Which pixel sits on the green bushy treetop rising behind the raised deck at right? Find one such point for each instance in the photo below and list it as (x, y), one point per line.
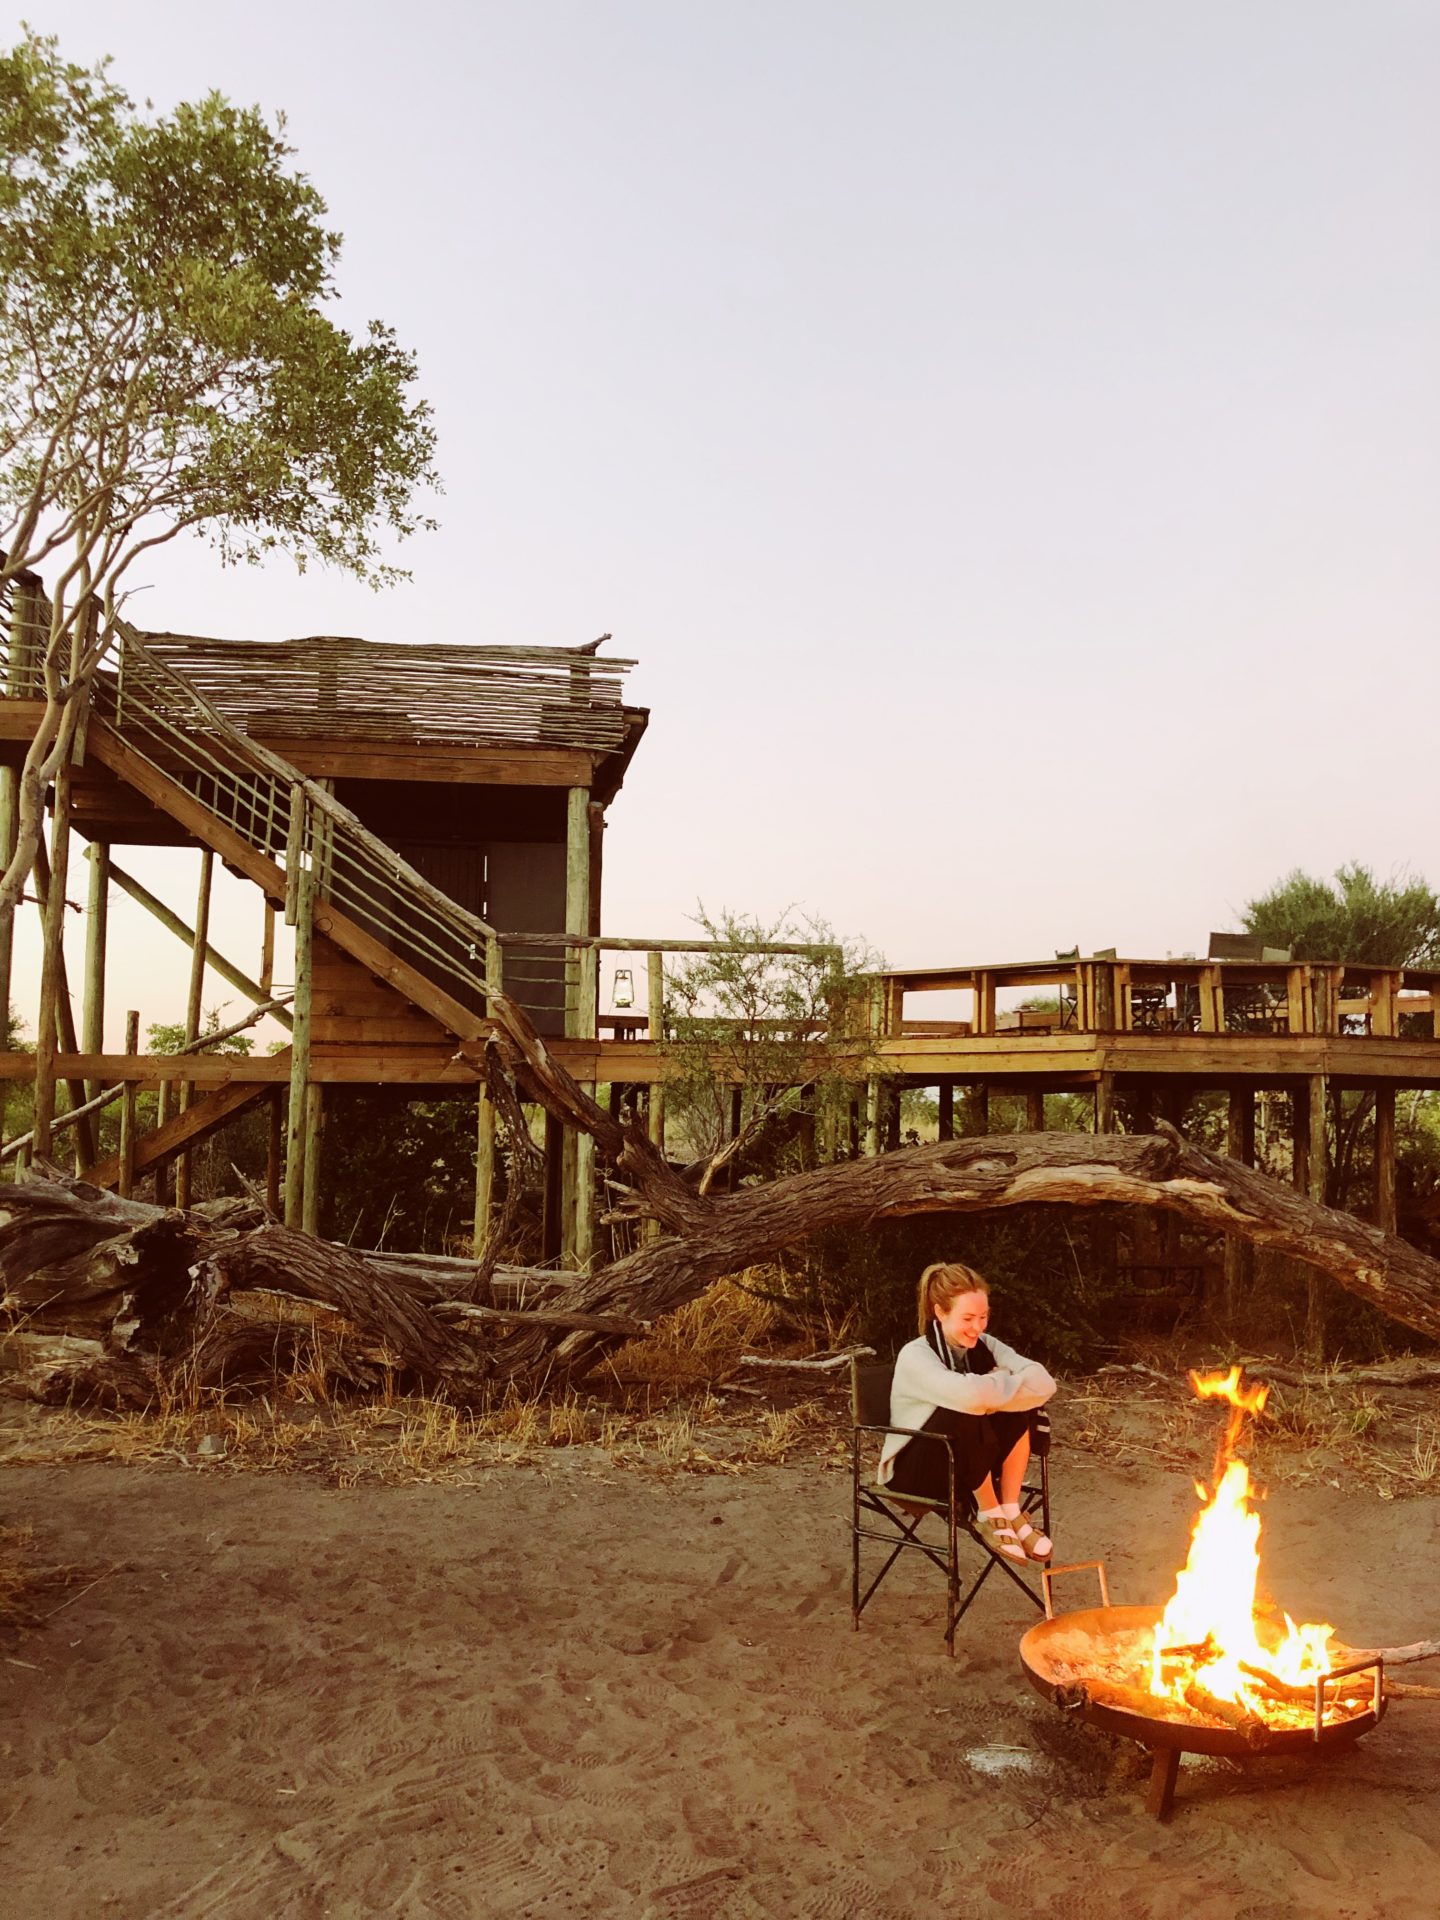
(1358, 919)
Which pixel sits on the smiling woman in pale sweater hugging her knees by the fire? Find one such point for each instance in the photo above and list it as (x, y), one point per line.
(963, 1383)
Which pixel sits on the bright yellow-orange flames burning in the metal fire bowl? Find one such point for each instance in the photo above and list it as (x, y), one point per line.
(1211, 1635)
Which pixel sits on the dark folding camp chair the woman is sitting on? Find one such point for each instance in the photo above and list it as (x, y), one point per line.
(903, 1514)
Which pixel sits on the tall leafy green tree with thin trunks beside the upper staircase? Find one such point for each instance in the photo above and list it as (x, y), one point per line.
(168, 366)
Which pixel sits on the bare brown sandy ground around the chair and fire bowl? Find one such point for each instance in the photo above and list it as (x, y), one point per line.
(567, 1691)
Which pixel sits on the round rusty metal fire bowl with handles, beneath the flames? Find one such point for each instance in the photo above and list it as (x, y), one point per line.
(1049, 1658)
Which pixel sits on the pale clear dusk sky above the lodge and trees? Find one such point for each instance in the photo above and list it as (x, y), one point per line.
(1007, 439)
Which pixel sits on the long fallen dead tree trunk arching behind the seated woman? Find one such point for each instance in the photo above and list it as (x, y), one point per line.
(166, 1284)
